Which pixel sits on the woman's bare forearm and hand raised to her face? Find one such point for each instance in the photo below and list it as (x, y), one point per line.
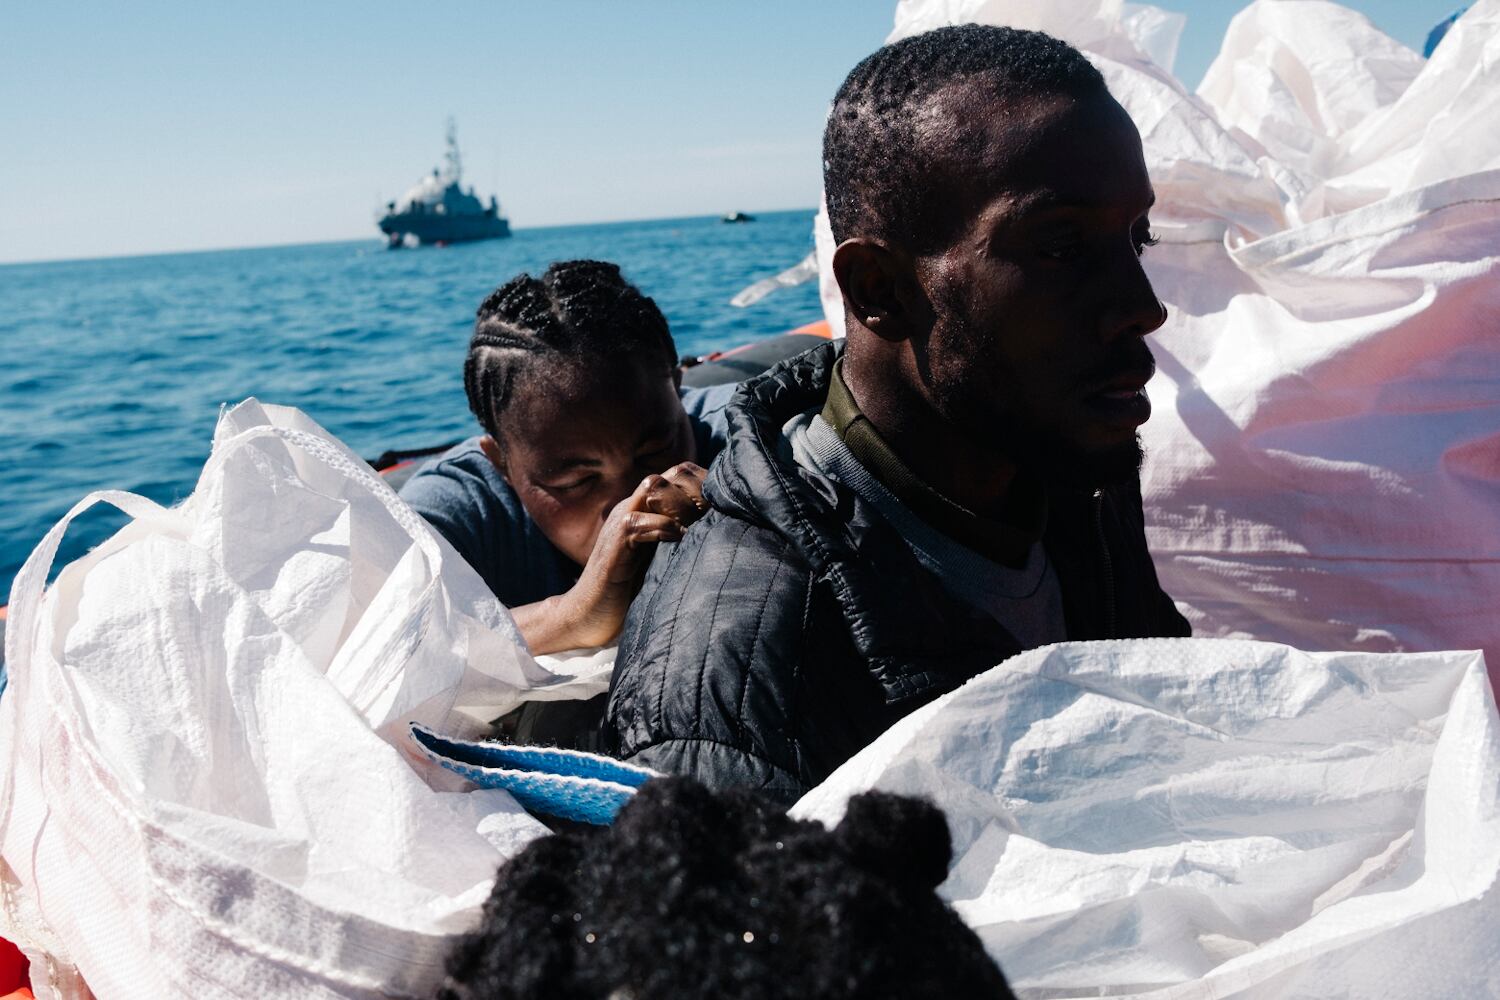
(593, 611)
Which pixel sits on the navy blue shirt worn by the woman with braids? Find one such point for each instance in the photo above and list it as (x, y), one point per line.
(464, 497)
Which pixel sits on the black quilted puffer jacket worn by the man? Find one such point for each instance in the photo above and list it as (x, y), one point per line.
(793, 626)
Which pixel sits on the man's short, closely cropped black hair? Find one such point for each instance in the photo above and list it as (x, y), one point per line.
(878, 175)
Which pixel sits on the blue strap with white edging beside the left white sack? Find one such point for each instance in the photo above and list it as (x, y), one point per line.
(566, 783)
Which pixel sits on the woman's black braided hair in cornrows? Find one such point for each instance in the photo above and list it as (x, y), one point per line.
(577, 313)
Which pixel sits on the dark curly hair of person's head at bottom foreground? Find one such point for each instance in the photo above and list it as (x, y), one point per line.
(695, 896)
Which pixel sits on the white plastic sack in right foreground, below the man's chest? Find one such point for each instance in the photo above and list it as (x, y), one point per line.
(1214, 819)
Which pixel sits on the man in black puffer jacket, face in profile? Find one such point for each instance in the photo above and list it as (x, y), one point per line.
(962, 482)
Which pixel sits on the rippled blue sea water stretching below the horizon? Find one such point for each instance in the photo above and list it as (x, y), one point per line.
(115, 370)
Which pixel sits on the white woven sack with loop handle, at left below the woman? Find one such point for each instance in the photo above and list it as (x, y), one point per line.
(203, 788)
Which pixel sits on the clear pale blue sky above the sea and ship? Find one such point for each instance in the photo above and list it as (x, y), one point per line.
(149, 127)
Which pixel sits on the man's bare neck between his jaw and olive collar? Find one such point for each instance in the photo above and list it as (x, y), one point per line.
(944, 457)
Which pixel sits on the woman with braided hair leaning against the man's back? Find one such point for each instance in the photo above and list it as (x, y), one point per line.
(592, 452)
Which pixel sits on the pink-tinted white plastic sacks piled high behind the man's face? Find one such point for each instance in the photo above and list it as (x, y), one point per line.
(1324, 463)
